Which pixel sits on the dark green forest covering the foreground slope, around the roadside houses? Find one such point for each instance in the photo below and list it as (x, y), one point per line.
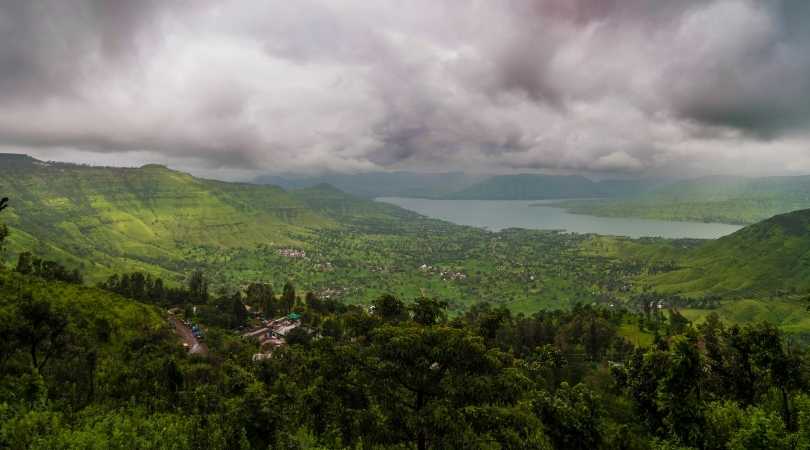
(99, 367)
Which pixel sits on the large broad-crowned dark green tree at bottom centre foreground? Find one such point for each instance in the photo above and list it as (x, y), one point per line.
(427, 379)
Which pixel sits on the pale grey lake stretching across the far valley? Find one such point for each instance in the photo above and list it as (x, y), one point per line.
(499, 214)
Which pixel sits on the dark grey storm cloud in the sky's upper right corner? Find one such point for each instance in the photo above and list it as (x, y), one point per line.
(757, 77)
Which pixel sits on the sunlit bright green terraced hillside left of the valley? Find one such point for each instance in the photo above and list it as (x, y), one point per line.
(141, 217)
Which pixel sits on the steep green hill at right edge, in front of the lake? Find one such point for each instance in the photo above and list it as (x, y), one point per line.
(763, 259)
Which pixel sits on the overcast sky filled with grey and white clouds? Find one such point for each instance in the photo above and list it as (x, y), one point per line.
(610, 87)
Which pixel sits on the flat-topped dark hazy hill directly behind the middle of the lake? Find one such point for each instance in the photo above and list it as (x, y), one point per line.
(540, 187)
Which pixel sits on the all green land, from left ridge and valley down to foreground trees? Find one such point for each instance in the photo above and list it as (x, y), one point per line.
(411, 333)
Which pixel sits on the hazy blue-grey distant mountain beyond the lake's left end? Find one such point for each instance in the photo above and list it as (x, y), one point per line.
(379, 184)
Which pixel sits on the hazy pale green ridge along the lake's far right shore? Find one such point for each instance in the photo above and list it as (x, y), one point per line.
(728, 199)
